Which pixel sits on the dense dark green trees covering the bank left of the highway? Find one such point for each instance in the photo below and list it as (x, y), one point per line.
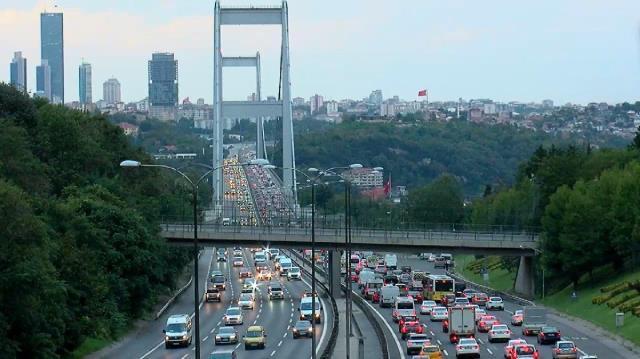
(80, 254)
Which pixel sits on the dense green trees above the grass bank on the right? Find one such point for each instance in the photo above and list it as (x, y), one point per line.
(585, 202)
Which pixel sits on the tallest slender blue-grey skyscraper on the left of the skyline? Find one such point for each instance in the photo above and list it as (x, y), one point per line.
(52, 50)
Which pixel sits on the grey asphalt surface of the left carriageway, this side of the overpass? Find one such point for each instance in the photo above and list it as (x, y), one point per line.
(276, 316)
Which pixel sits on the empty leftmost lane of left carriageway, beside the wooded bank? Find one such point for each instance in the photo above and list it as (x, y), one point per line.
(152, 339)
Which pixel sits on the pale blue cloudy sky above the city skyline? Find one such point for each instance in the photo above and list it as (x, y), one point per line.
(575, 51)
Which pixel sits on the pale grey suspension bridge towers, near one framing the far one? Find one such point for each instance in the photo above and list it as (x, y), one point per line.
(253, 109)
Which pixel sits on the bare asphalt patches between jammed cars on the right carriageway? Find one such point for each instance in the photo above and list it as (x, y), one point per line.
(586, 342)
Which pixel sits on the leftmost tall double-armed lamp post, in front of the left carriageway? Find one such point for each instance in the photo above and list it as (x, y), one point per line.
(194, 189)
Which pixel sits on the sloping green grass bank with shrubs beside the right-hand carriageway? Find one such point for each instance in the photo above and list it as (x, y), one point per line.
(600, 315)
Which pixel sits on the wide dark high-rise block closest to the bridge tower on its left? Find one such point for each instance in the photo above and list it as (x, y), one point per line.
(163, 86)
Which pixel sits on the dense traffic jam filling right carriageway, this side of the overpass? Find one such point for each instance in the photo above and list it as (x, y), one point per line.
(434, 316)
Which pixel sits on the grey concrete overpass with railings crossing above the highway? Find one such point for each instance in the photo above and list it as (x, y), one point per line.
(517, 244)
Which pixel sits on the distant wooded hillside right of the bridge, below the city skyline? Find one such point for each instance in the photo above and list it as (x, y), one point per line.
(414, 155)
